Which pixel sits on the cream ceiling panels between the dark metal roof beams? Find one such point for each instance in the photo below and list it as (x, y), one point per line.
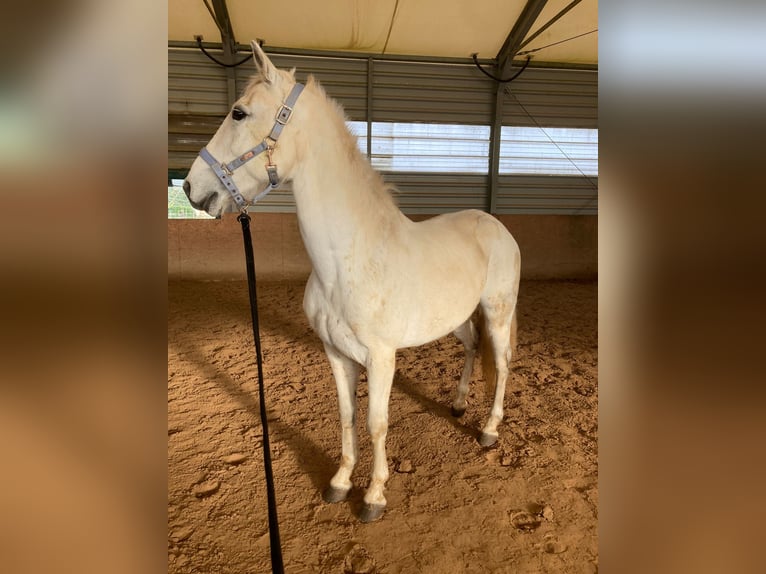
(405, 27)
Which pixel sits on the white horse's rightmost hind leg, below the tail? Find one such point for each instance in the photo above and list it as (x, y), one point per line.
(499, 325)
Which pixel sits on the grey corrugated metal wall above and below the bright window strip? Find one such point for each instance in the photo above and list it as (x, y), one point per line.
(405, 92)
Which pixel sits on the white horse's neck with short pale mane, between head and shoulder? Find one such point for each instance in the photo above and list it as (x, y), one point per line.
(340, 212)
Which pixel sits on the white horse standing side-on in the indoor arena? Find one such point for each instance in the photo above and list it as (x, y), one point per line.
(380, 281)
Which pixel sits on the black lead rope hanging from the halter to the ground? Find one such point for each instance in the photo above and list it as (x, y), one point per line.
(276, 548)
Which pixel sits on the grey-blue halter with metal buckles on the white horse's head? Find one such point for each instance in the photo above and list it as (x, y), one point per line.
(224, 171)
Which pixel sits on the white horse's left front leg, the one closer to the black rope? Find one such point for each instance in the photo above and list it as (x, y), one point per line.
(346, 373)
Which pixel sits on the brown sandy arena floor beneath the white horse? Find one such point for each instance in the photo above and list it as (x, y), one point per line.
(528, 505)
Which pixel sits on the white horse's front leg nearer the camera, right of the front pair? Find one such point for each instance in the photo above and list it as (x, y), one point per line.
(380, 372)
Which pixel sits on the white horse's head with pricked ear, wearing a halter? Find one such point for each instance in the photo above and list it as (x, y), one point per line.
(248, 125)
